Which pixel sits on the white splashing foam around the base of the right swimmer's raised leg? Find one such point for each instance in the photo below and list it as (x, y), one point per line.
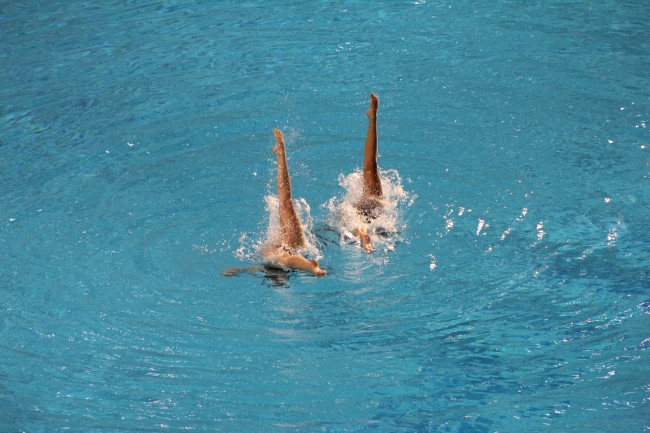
(345, 217)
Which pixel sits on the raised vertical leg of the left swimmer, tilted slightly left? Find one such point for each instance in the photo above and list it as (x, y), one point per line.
(291, 232)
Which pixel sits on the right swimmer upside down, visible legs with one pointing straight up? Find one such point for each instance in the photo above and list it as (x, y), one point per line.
(371, 203)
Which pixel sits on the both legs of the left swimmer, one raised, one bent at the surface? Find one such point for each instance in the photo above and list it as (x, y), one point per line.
(291, 236)
